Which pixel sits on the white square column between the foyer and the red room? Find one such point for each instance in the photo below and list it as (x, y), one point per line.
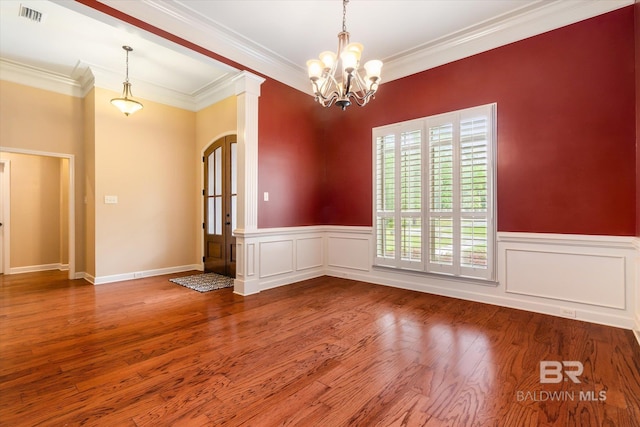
(247, 93)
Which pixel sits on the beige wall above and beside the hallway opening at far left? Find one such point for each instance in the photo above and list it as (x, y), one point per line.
(42, 121)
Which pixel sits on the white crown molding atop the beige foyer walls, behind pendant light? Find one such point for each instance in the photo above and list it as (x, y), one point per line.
(85, 76)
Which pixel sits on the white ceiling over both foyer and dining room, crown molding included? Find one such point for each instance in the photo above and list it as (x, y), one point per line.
(274, 38)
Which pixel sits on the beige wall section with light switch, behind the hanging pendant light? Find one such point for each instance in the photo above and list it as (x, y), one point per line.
(146, 160)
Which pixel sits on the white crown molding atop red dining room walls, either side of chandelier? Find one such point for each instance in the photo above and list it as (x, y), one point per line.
(530, 20)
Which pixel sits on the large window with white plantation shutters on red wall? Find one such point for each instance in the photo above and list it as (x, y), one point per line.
(434, 196)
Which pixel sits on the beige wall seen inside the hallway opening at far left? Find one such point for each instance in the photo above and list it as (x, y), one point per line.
(37, 211)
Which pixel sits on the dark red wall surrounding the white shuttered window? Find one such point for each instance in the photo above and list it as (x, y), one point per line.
(566, 129)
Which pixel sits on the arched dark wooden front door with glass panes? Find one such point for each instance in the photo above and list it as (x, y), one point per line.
(220, 193)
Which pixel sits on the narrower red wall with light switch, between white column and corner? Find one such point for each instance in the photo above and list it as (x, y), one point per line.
(290, 159)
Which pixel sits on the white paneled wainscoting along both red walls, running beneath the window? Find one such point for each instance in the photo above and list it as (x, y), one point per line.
(591, 278)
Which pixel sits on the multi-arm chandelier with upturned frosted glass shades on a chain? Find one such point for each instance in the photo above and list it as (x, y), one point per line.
(352, 87)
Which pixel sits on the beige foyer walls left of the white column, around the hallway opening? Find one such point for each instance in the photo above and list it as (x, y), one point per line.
(151, 161)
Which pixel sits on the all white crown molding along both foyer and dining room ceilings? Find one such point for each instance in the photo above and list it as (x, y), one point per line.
(178, 19)
